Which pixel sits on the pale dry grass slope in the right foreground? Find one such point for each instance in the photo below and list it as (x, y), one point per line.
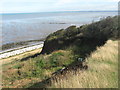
(102, 72)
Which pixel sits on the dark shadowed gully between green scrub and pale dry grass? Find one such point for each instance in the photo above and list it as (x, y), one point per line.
(80, 49)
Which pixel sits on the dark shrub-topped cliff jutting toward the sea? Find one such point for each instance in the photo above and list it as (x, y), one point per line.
(97, 32)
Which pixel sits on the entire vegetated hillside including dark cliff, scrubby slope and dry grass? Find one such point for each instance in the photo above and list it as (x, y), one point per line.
(63, 49)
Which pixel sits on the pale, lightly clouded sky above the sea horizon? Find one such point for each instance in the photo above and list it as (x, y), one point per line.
(27, 6)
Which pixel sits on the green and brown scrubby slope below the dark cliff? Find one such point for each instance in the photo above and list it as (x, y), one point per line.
(19, 73)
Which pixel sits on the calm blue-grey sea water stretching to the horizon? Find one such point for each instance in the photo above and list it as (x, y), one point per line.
(33, 26)
